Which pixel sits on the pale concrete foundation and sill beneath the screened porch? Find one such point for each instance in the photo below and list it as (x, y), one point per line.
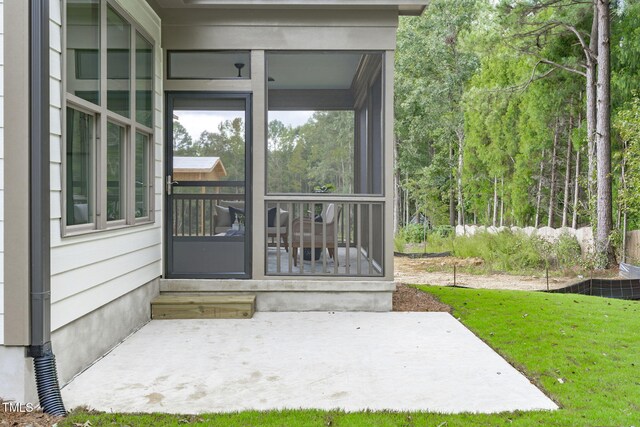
(295, 295)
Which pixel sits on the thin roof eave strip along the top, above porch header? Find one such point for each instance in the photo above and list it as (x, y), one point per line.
(405, 7)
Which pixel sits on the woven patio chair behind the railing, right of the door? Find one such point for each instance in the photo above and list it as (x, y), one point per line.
(310, 227)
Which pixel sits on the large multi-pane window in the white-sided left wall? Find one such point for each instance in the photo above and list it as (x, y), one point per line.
(109, 119)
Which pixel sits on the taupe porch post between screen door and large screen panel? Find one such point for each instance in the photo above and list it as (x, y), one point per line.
(259, 146)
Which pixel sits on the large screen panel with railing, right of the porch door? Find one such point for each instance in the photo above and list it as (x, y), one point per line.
(324, 164)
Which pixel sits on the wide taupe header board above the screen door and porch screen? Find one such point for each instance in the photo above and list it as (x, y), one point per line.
(284, 29)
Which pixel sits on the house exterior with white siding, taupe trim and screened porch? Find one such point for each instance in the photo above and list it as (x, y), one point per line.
(126, 219)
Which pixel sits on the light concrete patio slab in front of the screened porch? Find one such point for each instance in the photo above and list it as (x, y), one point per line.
(351, 361)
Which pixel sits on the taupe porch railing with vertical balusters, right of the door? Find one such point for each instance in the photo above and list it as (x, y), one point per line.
(318, 236)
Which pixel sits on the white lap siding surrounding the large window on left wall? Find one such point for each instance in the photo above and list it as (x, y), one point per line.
(90, 271)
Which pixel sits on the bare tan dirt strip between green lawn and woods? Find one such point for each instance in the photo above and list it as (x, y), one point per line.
(413, 271)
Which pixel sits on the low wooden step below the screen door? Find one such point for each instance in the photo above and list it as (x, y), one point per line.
(175, 306)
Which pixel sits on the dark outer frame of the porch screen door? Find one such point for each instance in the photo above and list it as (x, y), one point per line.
(170, 96)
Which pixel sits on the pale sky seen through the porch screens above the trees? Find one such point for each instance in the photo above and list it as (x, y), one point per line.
(195, 122)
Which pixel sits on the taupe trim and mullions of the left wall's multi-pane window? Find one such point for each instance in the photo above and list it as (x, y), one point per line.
(102, 115)
